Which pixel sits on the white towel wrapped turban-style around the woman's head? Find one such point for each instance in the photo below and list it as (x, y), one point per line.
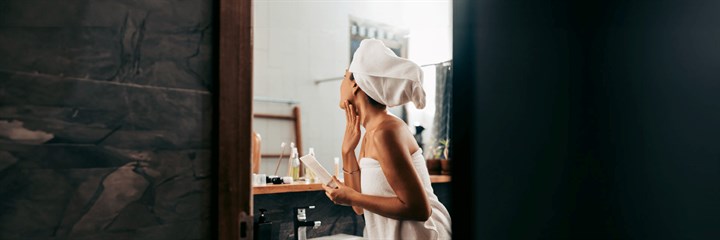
(385, 77)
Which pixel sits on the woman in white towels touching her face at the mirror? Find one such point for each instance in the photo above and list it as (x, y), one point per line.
(389, 183)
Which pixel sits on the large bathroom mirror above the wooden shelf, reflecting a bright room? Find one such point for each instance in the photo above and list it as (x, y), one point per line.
(300, 52)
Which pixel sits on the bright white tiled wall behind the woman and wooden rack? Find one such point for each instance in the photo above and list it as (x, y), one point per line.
(299, 41)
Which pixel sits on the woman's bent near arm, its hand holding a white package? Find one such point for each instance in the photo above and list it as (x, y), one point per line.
(410, 202)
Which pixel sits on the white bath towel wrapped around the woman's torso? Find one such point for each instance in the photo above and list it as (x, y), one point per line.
(373, 182)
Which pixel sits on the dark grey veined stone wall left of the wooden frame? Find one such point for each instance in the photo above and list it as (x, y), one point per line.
(105, 119)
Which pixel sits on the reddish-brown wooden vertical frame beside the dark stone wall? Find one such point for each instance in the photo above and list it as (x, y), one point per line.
(234, 118)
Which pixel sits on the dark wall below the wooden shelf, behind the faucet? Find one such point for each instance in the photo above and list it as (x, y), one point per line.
(335, 219)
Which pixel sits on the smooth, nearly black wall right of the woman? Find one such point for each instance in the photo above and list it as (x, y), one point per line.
(586, 119)
